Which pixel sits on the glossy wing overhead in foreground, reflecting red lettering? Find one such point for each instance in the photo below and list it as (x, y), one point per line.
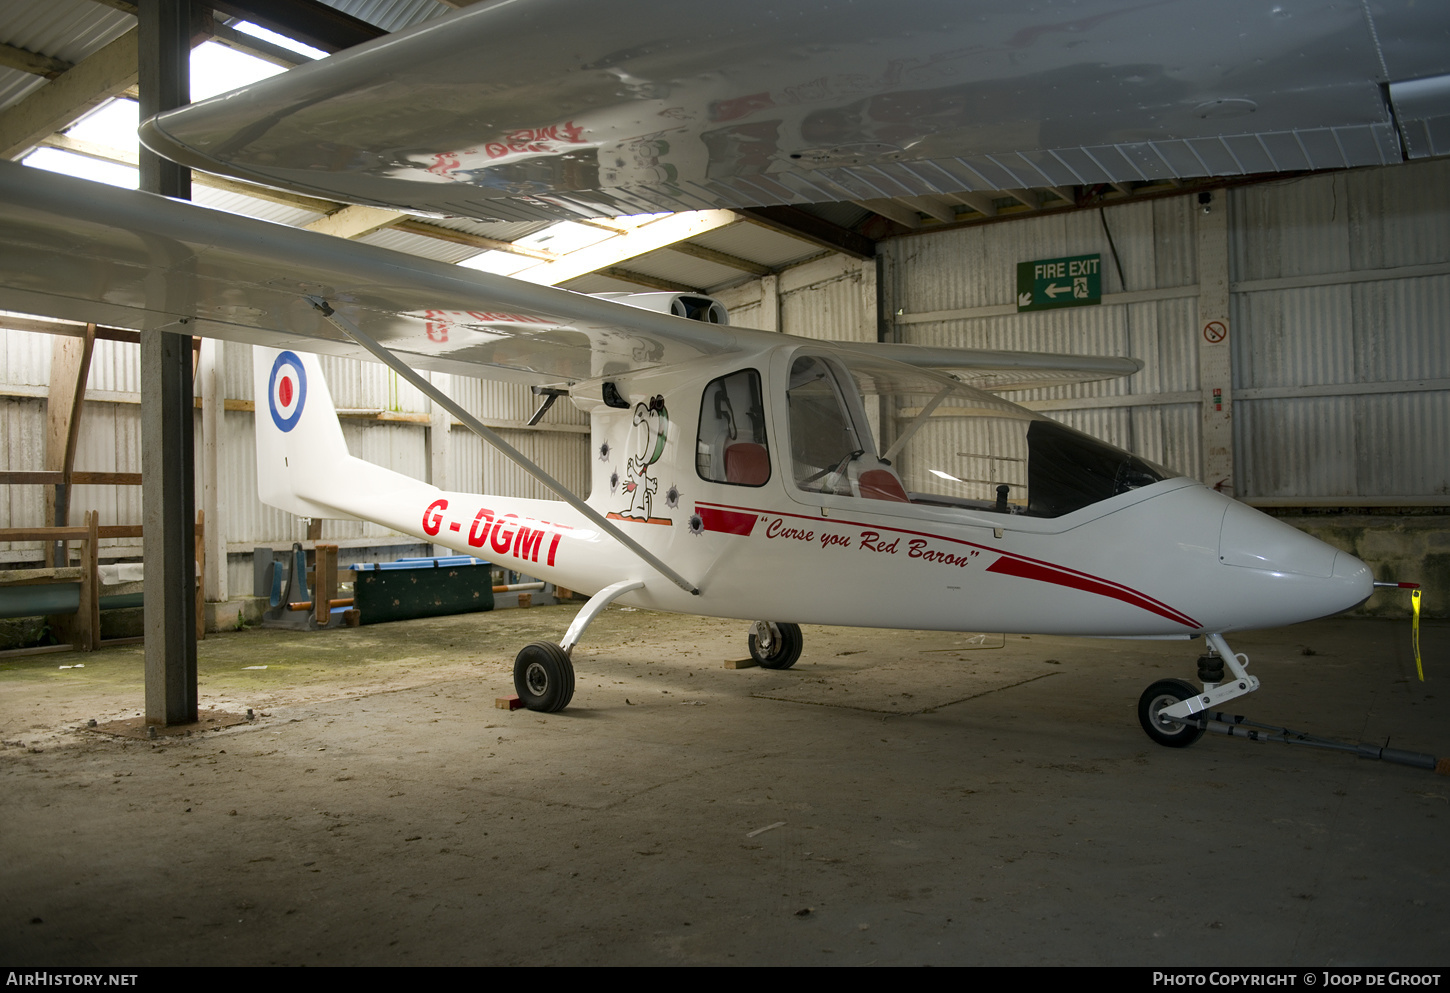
(537, 109)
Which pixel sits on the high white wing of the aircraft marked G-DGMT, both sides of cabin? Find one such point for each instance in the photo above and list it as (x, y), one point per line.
(91, 253)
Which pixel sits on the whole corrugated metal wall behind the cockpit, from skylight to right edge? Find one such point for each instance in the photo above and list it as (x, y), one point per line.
(1341, 294)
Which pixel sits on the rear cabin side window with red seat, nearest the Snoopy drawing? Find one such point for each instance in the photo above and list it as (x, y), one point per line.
(732, 446)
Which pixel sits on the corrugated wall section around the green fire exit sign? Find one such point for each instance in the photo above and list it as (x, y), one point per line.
(958, 289)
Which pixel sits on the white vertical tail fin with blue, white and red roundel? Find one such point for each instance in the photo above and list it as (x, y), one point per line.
(299, 441)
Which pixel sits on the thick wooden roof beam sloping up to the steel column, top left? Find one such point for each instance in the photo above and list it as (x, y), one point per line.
(72, 95)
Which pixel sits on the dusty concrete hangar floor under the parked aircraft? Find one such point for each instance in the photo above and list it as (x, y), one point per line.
(900, 798)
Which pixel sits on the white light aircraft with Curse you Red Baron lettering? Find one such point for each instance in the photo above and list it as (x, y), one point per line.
(736, 473)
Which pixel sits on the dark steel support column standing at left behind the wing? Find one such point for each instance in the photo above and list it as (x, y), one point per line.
(167, 463)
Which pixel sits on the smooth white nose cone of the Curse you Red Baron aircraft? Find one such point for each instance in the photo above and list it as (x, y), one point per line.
(1309, 578)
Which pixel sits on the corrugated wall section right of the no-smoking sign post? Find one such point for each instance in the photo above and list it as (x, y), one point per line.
(1342, 363)
